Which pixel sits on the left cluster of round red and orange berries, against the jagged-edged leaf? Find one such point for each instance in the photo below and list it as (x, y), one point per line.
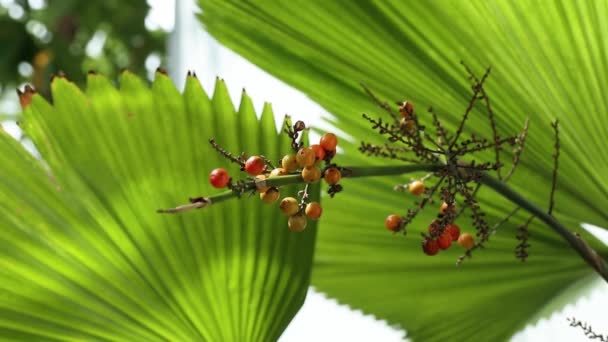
(306, 162)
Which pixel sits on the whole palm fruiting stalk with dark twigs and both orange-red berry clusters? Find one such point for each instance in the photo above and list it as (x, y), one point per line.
(454, 176)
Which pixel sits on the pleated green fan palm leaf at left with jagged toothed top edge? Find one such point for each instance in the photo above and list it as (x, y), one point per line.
(84, 255)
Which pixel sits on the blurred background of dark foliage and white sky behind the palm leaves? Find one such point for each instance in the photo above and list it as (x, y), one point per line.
(40, 38)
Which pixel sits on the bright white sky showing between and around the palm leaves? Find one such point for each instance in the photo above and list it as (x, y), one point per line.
(320, 319)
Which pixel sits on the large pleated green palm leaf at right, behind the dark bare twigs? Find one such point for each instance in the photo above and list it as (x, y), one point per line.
(548, 62)
